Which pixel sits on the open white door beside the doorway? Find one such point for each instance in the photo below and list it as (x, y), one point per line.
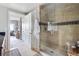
(26, 29)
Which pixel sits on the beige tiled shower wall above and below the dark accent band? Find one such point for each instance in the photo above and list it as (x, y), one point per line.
(56, 40)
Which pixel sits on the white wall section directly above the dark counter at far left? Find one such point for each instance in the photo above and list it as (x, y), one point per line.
(3, 19)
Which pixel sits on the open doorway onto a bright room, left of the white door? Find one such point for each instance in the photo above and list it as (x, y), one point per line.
(14, 29)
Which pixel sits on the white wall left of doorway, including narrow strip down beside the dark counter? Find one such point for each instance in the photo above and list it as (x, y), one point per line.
(4, 24)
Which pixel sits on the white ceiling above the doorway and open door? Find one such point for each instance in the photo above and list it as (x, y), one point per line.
(21, 7)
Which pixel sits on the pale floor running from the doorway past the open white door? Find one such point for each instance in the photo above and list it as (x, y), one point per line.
(22, 46)
